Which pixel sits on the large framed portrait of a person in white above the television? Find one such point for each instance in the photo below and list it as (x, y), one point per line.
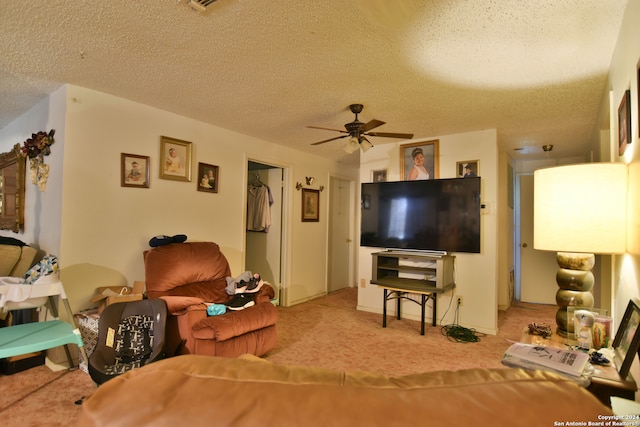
(419, 161)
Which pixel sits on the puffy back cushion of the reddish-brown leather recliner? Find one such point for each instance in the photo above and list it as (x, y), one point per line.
(195, 269)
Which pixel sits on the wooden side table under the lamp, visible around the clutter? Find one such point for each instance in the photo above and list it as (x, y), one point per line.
(605, 381)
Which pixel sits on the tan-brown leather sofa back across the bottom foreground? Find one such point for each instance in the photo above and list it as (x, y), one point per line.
(205, 391)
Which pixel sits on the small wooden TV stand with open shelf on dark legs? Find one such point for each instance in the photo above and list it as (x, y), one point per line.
(401, 273)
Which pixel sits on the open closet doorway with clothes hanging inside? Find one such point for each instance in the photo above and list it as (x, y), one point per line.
(264, 247)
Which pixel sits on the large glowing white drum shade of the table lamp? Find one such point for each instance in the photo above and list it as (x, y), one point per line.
(581, 208)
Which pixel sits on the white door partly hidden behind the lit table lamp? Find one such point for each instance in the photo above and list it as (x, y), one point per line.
(537, 268)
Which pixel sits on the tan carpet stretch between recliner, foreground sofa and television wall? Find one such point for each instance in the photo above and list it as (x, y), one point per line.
(329, 332)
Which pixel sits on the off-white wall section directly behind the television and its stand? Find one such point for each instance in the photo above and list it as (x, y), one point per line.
(476, 274)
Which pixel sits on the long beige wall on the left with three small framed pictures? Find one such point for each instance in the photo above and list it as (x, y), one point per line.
(100, 229)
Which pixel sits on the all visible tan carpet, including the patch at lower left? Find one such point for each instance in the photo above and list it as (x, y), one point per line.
(326, 332)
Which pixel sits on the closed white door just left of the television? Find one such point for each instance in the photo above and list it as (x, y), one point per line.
(340, 235)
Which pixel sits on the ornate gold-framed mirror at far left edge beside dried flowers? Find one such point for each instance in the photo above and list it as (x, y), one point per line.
(12, 181)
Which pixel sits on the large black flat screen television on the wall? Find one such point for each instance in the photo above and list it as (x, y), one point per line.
(429, 215)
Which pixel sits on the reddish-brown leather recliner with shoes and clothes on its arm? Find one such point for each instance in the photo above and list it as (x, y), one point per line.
(189, 275)
